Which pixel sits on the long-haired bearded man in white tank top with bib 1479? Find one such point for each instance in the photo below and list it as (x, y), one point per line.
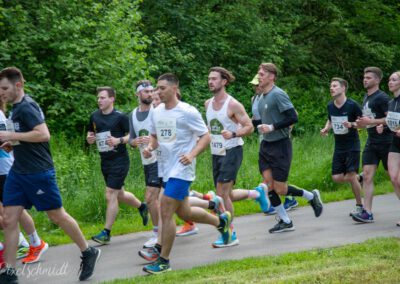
(227, 121)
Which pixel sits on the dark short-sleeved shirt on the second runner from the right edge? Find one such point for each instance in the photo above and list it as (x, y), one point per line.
(376, 106)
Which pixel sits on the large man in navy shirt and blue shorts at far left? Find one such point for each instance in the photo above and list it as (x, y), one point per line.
(31, 180)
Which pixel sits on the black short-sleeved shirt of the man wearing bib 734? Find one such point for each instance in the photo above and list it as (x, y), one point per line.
(346, 139)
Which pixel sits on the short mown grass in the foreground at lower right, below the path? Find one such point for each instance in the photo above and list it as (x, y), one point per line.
(374, 261)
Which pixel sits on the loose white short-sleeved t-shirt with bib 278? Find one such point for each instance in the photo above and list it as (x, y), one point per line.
(177, 130)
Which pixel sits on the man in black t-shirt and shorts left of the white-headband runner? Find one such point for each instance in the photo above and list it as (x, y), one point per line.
(108, 128)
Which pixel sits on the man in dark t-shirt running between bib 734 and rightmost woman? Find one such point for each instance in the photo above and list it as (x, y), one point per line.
(375, 107)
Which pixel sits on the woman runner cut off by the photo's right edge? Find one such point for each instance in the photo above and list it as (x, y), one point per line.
(393, 122)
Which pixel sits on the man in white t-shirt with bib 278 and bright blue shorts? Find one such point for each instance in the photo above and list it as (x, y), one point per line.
(175, 129)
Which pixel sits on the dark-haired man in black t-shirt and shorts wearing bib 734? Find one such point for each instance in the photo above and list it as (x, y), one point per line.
(342, 114)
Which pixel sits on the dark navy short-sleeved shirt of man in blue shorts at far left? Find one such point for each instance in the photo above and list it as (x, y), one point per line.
(30, 157)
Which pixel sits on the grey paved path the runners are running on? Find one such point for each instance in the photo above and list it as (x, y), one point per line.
(120, 259)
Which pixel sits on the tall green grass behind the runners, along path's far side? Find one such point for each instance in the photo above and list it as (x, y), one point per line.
(82, 185)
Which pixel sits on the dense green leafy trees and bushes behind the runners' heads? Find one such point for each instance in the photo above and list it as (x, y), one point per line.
(68, 48)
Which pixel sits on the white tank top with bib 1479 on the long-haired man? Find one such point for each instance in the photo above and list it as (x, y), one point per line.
(218, 121)
